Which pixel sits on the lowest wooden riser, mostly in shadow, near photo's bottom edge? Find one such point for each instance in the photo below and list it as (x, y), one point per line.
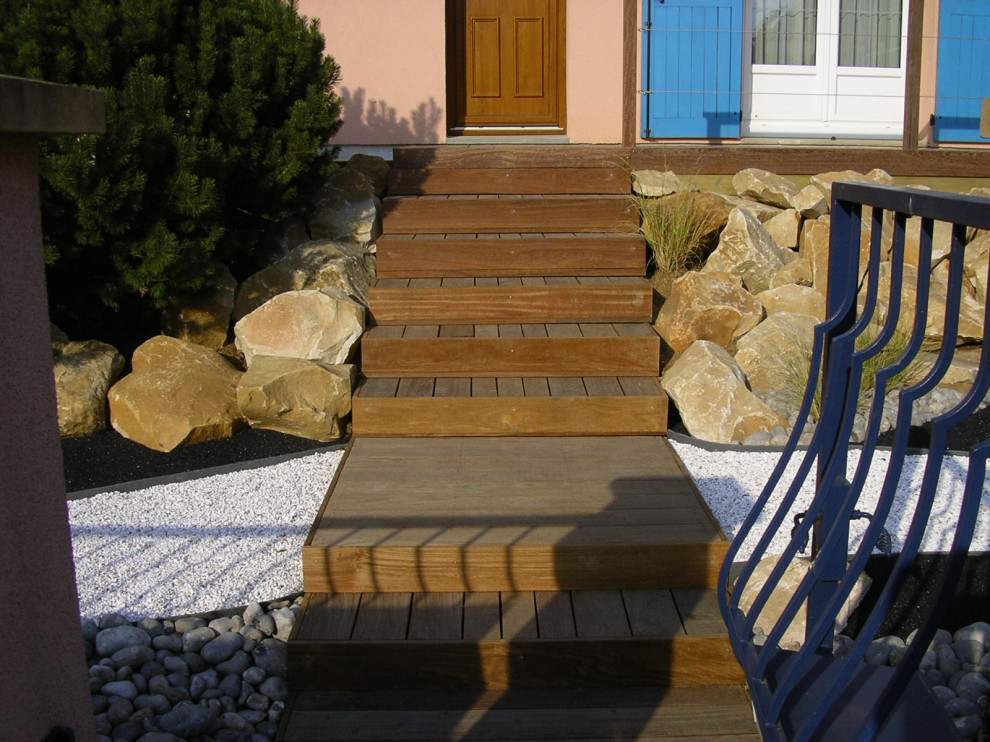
(520, 664)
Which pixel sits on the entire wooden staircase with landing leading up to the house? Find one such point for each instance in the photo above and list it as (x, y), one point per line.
(511, 549)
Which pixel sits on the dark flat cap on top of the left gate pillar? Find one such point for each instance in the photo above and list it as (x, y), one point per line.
(37, 107)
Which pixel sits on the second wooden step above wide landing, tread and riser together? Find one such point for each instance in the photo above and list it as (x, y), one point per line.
(511, 350)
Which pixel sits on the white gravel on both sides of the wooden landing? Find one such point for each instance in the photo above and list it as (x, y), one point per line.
(225, 540)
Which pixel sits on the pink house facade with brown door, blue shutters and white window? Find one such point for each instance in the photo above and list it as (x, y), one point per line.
(642, 71)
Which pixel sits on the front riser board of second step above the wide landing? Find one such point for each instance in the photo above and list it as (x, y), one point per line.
(514, 357)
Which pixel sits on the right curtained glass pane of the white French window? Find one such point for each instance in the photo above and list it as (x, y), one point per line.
(870, 33)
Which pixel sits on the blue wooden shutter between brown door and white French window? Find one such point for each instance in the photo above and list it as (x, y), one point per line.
(692, 68)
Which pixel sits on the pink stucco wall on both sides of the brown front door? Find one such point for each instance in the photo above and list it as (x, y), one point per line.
(392, 55)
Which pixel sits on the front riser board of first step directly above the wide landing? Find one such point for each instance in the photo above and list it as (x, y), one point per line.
(507, 416)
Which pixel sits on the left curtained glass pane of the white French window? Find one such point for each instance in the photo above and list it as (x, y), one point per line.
(785, 31)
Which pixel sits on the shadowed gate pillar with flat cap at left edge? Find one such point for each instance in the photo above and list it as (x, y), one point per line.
(45, 693)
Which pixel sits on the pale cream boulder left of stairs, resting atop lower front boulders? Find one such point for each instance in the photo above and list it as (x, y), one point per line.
(316, 325)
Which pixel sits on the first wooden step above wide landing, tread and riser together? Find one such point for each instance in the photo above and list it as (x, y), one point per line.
(593, 405)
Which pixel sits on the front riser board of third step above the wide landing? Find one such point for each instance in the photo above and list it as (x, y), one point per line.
(511, 304)
